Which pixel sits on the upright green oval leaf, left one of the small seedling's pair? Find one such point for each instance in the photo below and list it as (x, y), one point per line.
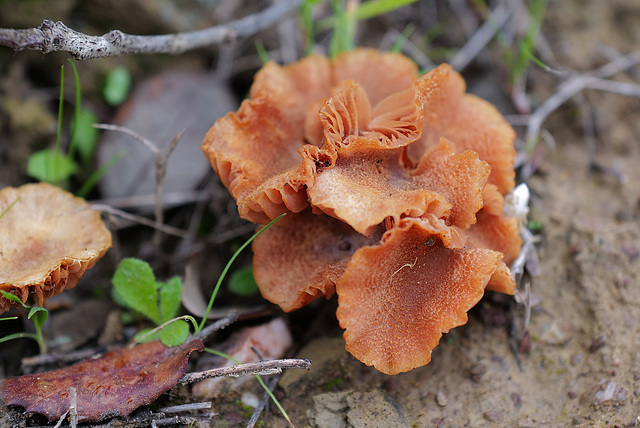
(135, 283)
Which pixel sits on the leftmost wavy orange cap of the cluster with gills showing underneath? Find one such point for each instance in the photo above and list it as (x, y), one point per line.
(255, 151)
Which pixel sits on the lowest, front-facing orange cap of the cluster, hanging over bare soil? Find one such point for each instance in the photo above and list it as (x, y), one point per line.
(396, 299)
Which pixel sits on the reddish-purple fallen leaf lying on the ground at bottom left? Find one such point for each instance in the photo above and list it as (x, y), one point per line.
(115, 384)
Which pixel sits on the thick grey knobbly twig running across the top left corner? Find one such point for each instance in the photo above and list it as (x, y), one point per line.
(56, 37)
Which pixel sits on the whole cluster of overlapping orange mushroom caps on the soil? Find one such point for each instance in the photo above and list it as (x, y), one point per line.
(394, 187)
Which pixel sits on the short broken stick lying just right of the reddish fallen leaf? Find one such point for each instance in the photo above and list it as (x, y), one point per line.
(260, 368)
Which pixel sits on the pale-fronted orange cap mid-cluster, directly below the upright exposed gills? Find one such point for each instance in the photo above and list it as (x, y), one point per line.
(368, 184)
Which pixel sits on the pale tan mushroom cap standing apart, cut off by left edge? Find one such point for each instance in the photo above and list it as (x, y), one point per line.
(48, 239)
